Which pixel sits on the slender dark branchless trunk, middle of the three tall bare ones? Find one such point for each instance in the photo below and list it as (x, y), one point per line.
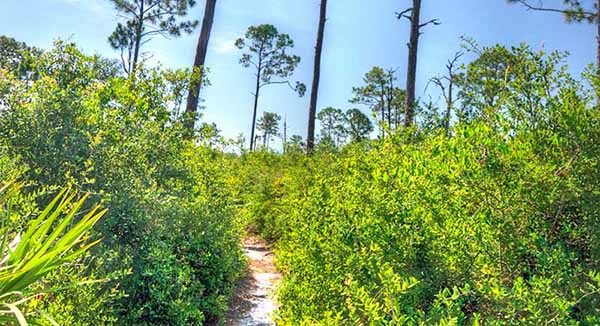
(312, 110)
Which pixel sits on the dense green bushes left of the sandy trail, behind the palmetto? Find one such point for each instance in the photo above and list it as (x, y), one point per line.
(171, 243)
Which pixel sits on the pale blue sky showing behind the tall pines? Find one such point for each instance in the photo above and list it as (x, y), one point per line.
(359, 35)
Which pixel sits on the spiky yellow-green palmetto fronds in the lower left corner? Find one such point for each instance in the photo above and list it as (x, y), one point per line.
(51, 240)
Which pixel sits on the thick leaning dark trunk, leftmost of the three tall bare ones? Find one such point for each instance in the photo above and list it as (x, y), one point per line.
(201, 49)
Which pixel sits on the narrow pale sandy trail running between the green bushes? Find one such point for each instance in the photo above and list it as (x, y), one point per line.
(253, 302)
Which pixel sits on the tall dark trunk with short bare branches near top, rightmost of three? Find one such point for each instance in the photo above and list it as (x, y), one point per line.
(411, 75)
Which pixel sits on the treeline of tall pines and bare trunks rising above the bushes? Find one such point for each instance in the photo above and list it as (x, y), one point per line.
(269, 54)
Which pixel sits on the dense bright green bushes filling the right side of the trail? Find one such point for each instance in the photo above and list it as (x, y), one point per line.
(497, 224)
